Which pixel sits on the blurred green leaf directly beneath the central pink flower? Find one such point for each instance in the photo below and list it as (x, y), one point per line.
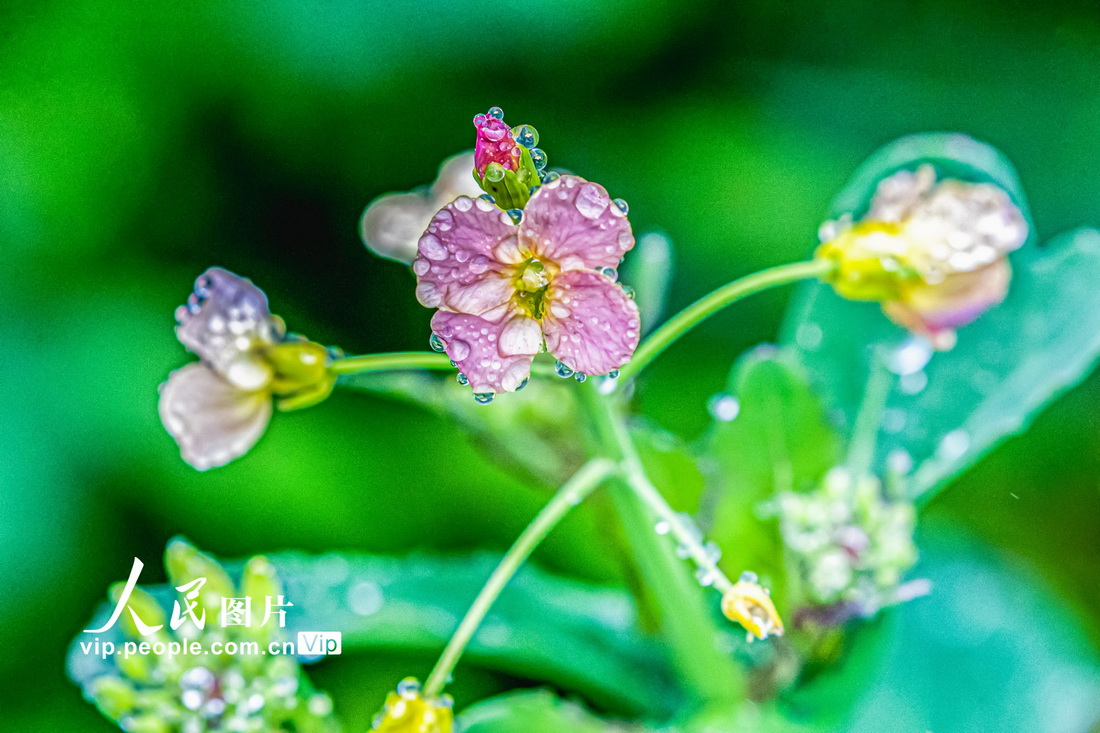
(533, 432)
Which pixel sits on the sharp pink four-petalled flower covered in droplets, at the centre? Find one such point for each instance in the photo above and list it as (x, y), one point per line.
(504, 290)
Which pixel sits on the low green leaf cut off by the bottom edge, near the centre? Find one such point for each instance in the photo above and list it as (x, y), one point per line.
(537, 712)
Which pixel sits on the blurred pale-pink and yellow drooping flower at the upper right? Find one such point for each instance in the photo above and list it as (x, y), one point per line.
(933, 253)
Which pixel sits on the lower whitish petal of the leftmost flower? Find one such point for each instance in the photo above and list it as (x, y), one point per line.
(212, 421)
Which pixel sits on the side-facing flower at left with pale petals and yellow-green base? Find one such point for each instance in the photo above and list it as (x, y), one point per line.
(219, 408)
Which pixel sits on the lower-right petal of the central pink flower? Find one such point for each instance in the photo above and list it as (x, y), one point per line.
(590, 323)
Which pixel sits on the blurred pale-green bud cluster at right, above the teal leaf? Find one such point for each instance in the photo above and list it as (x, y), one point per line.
(852, 545)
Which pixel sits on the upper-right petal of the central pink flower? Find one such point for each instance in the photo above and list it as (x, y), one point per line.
(575, 224)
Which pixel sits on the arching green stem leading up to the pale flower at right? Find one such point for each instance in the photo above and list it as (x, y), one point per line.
(714, 302)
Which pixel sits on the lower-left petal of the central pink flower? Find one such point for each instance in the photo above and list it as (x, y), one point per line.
(494, 351)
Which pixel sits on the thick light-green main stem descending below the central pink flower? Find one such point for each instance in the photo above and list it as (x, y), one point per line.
(685, 617)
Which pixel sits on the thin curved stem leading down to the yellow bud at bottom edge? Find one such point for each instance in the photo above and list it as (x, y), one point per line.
(574, 493)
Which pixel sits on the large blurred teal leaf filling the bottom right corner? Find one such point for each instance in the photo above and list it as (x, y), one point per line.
(988, 629)
